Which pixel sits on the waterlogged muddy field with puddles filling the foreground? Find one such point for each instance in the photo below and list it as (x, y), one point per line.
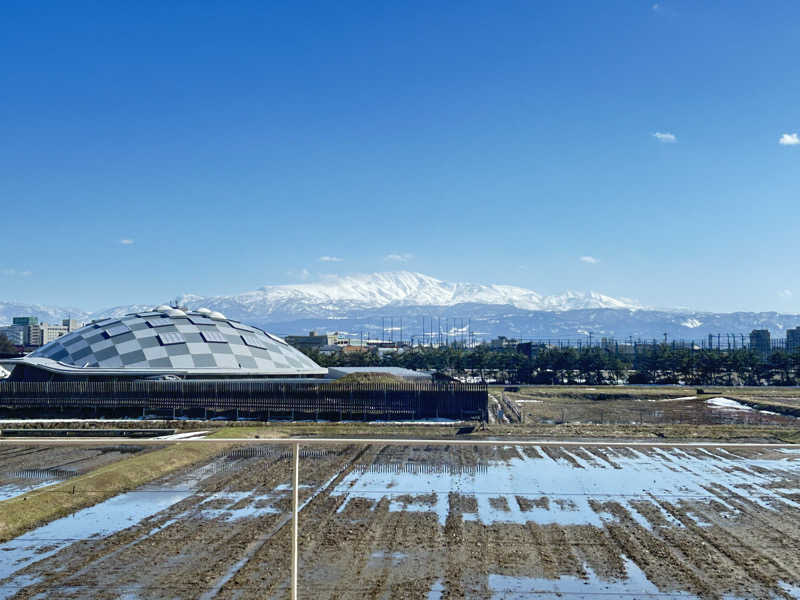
(435, 522)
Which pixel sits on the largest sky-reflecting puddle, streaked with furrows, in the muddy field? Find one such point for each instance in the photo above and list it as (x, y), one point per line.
(571, 486)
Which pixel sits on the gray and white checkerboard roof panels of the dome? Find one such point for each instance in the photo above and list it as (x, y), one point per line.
(150, 341)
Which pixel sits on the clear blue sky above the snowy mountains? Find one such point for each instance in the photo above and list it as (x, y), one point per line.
(156, 148)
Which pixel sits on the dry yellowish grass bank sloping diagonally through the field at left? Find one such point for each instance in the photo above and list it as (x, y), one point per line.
(41, 506)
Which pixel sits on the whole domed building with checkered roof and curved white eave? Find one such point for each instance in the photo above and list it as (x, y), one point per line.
(164, 342)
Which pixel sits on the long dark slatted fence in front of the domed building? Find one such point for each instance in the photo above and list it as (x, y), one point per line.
(262, 399)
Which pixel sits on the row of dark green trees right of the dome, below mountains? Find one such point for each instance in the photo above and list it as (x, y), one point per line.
(648, 364)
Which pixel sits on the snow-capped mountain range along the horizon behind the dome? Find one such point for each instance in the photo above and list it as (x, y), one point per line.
(360, 302)
